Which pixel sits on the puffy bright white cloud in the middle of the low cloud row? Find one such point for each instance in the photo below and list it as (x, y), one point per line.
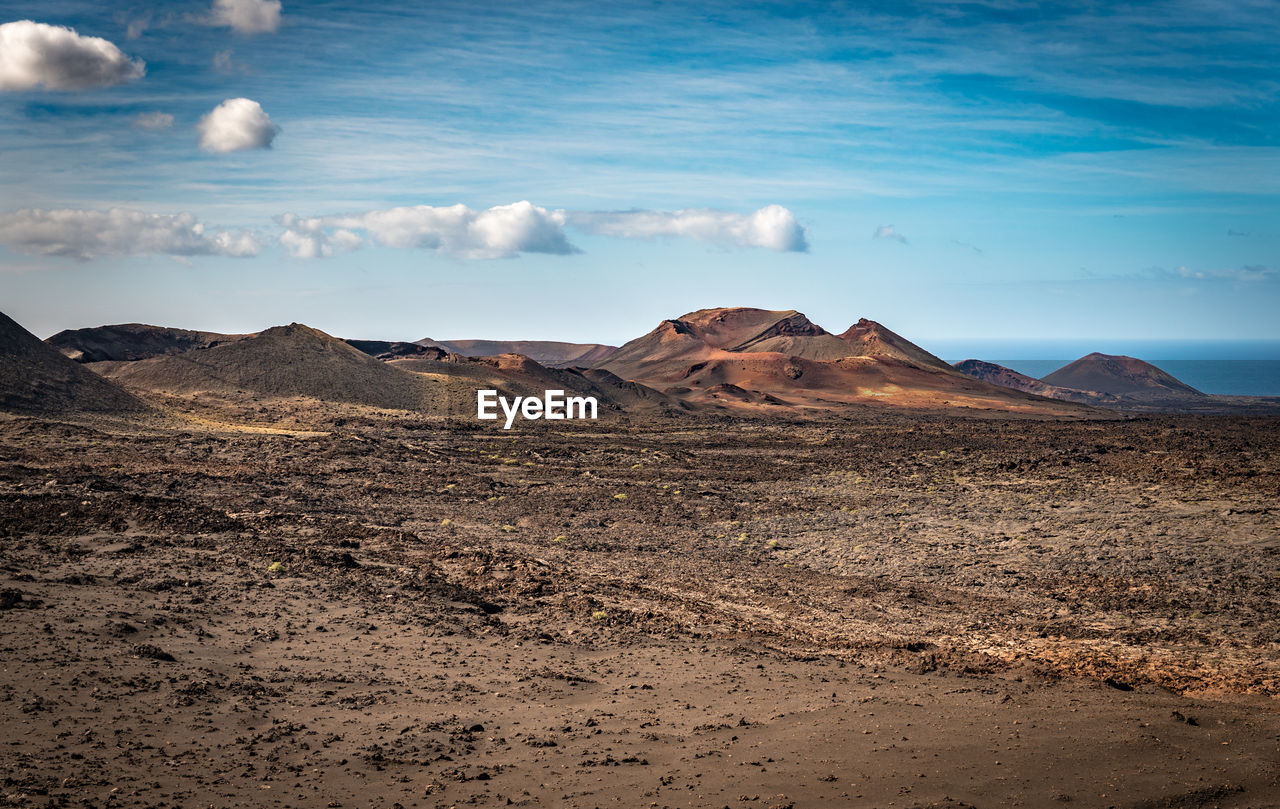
(499, 232)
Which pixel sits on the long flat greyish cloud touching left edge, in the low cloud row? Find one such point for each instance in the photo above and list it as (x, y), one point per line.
(118, 232)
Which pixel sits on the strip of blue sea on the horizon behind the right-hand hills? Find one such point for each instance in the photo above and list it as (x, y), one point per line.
(1235, 368)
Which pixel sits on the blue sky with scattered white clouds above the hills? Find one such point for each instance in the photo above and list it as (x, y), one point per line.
(989, 171)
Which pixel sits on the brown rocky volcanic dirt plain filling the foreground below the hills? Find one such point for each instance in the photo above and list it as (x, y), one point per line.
(884, 611)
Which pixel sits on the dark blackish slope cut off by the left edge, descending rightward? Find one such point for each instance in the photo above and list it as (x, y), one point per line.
(36, 378)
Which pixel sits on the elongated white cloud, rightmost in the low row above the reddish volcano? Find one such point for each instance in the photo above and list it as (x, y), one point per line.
(772, 227)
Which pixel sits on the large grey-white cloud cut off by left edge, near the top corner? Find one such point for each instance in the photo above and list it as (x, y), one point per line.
(57, 58)
